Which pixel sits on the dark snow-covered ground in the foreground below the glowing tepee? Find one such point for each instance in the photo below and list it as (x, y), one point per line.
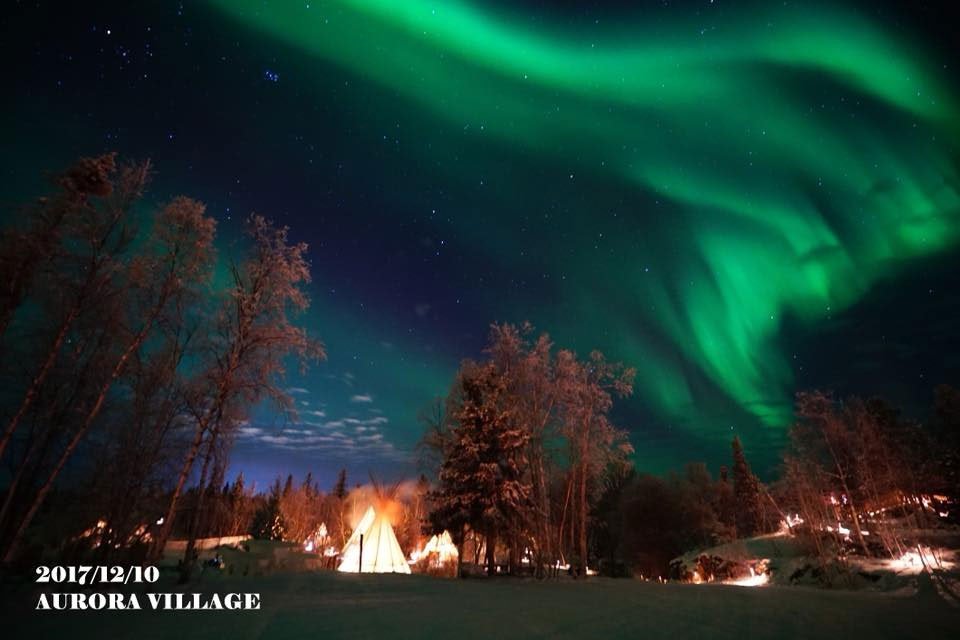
(331, 605)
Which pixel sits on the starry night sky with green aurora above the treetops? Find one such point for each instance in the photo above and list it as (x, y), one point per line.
(738, 200)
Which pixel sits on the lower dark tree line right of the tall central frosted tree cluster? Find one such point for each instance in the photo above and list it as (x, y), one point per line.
(856, 479)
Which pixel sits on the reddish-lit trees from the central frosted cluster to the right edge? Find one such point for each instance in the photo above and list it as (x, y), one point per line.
(528, 463)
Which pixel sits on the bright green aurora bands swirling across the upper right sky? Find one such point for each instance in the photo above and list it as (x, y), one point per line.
(782, 205)
